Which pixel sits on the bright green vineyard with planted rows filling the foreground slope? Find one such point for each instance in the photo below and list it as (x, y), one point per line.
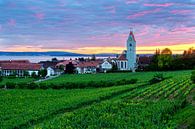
(162, 105)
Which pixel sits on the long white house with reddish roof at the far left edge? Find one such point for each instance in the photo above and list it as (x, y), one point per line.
(18, 67)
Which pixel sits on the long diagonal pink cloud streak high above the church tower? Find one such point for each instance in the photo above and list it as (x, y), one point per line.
(142, 13)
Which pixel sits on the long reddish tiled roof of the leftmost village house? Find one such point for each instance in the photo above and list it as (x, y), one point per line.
(20, 66)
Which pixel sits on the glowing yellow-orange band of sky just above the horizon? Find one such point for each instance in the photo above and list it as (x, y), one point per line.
(177, 49)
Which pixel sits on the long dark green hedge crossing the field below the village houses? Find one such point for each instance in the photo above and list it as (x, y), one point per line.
(69, 85)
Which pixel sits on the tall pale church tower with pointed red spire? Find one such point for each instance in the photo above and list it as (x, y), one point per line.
(131, 52)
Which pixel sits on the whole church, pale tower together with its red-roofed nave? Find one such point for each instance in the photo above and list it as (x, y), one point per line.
(127, 60)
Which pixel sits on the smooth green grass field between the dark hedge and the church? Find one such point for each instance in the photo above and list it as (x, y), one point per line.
(78, 78)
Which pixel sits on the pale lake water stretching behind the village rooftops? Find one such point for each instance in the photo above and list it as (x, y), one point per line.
(36, 59)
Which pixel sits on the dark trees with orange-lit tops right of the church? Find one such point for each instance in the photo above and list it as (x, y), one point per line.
(164, 60)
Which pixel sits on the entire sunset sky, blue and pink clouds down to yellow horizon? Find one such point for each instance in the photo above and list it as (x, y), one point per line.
(96, 26)
